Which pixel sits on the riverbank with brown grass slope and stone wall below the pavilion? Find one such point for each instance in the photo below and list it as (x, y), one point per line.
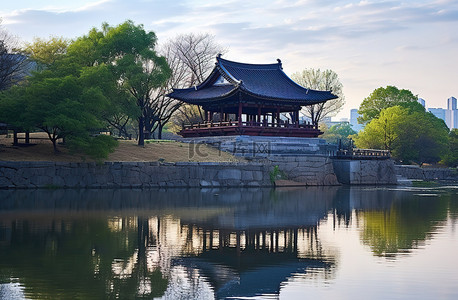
(174, 164)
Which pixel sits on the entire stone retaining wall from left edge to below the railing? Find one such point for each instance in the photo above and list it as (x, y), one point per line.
(305, 170)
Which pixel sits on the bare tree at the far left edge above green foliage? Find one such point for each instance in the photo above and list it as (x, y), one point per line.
(14, 66)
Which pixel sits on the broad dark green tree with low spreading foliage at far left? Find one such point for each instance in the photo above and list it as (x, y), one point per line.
(64, 107)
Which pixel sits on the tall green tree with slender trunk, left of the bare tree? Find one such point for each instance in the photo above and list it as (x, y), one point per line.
(130, 52)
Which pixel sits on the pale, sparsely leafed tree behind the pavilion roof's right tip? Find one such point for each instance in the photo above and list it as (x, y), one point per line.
(326, 80)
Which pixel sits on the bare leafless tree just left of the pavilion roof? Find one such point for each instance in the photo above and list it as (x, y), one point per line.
(191, 58)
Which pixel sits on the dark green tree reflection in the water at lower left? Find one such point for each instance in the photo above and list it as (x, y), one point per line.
(90, 259)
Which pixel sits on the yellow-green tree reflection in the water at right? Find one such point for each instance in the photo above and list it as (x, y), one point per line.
(403, 226)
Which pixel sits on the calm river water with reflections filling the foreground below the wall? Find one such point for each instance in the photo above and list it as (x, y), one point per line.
(309, 243)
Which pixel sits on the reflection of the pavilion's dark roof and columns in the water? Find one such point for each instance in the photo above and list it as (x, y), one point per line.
(257, 261)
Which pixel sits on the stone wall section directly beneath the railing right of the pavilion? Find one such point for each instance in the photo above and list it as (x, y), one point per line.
(378, 172)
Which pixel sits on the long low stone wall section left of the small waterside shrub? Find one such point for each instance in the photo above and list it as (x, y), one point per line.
(131, 174)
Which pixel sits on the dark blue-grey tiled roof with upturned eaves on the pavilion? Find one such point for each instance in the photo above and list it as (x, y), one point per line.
(250, 81)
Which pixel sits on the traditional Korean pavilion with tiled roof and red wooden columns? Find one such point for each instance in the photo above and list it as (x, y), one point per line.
(247, 99)
